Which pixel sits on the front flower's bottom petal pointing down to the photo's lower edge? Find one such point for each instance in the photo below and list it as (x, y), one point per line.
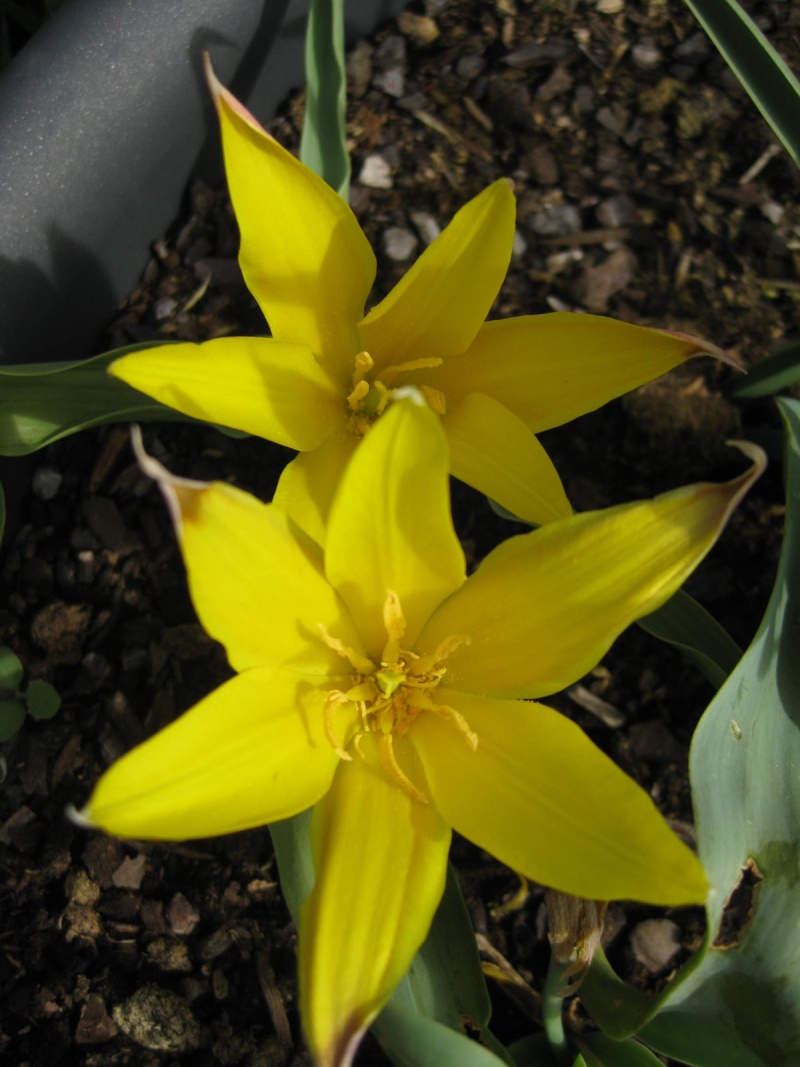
(381, 862)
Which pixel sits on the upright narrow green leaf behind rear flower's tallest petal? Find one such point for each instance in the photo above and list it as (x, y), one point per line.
(324, 144)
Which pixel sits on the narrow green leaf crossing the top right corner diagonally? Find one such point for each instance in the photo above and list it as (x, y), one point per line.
(770, 83)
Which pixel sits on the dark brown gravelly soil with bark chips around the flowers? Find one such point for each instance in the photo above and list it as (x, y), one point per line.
(650, 189)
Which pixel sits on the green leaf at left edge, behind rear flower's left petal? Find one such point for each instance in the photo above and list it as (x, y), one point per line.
(42, 403)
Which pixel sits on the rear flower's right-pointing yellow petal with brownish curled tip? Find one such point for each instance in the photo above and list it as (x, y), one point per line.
(551, 369)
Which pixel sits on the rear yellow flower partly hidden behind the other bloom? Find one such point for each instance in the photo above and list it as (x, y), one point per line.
(327, 373)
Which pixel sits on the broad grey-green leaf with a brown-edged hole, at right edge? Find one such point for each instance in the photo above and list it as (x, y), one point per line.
(742, 1005)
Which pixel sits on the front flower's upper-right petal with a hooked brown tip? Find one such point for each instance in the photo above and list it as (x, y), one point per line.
(543, 609)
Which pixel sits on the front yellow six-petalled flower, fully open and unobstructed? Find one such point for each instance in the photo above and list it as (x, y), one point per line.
(380, 684)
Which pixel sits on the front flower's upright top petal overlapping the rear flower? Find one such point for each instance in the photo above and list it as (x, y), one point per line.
(391, 525)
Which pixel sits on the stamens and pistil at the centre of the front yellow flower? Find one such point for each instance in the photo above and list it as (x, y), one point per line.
(391, 695)
